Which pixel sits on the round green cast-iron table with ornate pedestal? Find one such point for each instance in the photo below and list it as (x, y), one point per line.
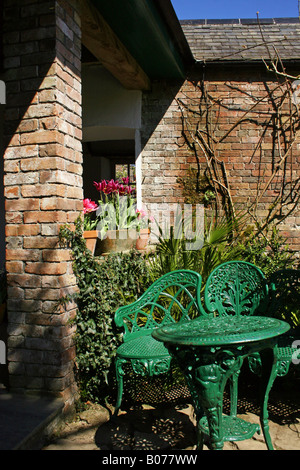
(209, 351)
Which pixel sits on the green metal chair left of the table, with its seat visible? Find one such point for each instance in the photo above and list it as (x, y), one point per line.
(175, 297)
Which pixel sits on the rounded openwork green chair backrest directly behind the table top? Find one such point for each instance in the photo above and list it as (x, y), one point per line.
(236, 288)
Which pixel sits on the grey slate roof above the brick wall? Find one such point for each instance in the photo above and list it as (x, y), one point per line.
(241, 39)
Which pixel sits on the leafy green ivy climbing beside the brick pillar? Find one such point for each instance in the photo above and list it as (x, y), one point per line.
(103, 286)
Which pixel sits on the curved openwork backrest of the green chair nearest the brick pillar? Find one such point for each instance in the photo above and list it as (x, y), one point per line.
(174, 297)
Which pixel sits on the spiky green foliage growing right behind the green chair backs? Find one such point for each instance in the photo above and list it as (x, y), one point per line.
(222, 240)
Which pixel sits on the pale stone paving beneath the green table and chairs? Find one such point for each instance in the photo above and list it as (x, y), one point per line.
(171, 427)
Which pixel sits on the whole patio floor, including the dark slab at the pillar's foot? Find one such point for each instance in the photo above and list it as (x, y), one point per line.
(26, 420)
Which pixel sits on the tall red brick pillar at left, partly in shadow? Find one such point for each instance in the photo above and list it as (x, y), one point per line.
(43, 188)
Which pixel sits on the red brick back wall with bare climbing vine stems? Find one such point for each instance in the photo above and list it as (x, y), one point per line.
(249, 151)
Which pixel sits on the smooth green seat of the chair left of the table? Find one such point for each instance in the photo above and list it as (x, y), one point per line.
(142, 347)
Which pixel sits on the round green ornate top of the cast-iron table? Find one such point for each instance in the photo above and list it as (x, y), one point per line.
(219, 331)
